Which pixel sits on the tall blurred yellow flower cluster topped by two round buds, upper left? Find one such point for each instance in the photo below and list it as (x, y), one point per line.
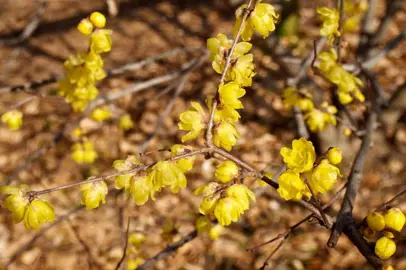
(85, 69)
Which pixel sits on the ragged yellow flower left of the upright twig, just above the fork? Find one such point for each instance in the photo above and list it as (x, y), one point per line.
(192, 120)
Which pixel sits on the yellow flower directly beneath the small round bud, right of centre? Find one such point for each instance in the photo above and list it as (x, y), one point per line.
(324, 177)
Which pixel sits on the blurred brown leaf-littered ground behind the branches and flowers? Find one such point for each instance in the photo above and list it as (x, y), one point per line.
(143, 29)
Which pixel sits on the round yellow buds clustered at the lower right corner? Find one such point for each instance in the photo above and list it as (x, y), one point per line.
(383, 225)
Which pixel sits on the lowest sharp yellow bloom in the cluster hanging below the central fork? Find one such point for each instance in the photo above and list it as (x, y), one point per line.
(227, 210)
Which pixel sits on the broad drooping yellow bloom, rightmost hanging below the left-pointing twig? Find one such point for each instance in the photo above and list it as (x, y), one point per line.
(167, 174)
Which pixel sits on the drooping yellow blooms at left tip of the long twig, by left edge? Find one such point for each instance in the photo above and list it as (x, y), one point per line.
(33, 213)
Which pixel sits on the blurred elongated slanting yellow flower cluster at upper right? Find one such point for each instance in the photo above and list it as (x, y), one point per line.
(347, 83)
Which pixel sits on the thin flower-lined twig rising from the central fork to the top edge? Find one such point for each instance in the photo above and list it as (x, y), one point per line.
(247, 12)
